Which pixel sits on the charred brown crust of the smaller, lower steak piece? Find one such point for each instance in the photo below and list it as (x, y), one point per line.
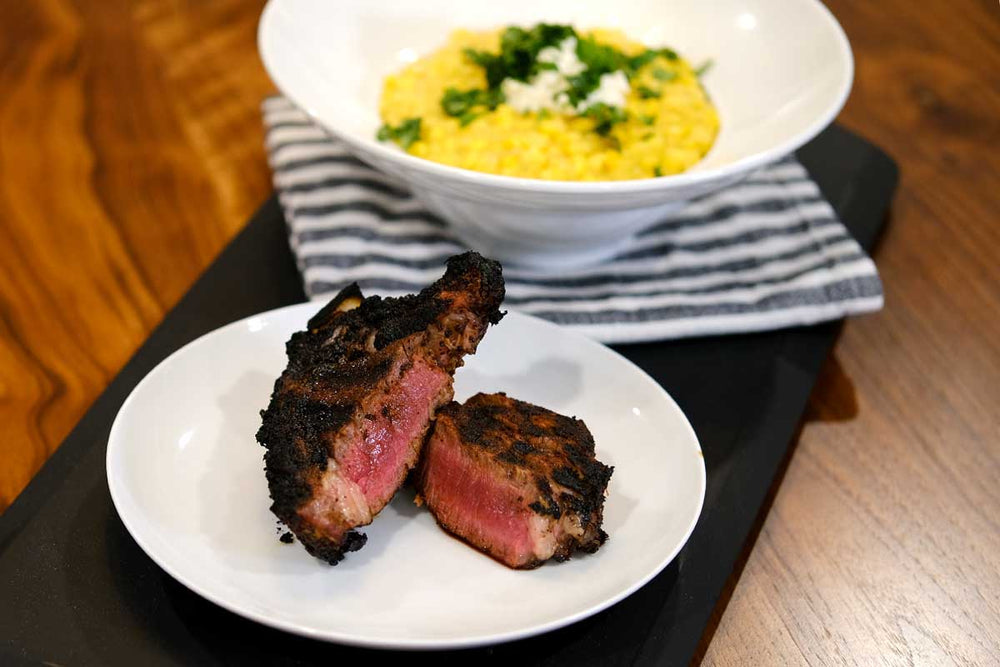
(549, 455)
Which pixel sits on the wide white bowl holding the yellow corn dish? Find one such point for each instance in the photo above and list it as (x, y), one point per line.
(782, 70)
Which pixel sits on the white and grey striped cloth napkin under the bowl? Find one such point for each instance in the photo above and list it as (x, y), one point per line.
(766, 253)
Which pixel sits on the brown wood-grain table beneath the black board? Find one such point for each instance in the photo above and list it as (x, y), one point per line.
(131, 152)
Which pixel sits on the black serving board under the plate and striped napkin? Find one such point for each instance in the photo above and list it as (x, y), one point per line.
(76, 590)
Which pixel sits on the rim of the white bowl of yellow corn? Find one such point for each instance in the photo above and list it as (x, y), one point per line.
(470, 177)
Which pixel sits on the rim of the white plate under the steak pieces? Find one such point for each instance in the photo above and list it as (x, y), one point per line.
(117, 489)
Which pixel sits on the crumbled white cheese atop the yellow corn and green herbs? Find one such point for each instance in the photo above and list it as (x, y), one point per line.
(547, 89)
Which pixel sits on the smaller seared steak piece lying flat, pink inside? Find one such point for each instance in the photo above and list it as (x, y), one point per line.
(514, 480)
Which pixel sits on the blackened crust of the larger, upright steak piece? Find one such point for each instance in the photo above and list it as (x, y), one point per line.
(344, 367)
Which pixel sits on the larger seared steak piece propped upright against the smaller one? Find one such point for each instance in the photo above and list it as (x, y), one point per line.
(348, 416)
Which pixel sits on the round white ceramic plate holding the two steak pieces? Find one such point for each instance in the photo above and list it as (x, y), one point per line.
(186, 476)
